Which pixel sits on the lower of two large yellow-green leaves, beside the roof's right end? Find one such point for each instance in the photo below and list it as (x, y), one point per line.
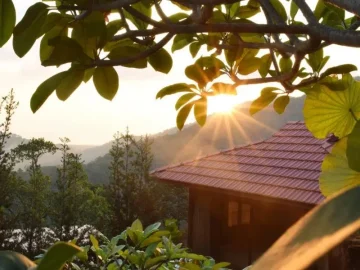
(335, 172)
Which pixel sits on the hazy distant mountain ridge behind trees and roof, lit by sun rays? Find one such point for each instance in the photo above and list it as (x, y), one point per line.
(171, 146)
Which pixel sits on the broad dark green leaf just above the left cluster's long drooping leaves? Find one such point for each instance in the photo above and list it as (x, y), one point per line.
(66, 50)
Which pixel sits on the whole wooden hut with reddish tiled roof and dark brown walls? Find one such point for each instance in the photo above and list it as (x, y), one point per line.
(242, 200)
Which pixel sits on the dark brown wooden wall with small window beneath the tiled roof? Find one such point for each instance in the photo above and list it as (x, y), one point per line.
(243, 243)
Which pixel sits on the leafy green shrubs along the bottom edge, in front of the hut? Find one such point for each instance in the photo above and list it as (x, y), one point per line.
(135, 248)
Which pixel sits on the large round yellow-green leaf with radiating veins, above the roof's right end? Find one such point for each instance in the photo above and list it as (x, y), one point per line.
(327, 111)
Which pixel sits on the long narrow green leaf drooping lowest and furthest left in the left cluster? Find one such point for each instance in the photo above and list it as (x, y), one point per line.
(45, 90)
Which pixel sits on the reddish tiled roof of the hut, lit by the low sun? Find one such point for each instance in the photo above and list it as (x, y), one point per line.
(285, 166)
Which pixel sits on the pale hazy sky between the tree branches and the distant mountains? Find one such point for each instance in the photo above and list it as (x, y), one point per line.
(85, 117)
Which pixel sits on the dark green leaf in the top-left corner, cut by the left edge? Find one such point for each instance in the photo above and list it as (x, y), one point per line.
(7, 20)
